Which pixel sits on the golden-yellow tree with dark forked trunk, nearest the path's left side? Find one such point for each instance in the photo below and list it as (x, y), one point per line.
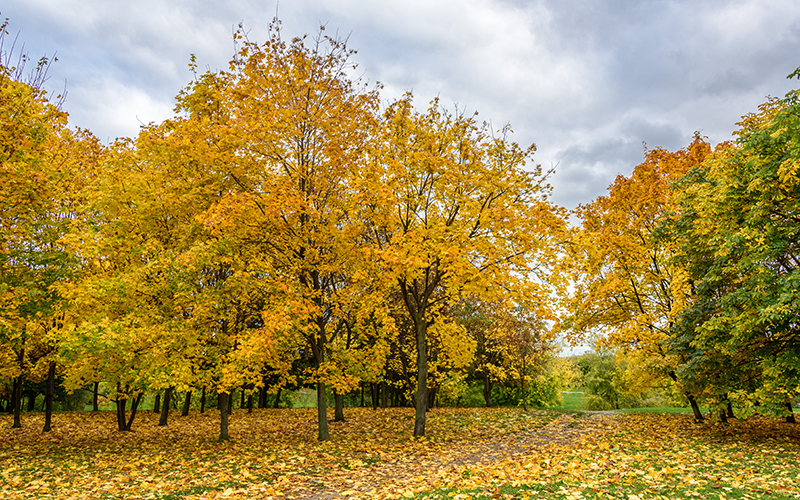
(458, 216)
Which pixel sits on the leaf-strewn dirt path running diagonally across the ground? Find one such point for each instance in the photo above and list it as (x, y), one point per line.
(372, 481)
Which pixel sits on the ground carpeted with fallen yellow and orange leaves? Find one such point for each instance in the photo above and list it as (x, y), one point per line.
(469, 454)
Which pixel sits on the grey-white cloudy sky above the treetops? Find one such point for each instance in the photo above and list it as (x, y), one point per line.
(588, 81)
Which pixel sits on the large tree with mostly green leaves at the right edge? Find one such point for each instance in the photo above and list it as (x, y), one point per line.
(738, 237)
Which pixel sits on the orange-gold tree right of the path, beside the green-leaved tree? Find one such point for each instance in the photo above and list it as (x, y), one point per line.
(626, 283)
